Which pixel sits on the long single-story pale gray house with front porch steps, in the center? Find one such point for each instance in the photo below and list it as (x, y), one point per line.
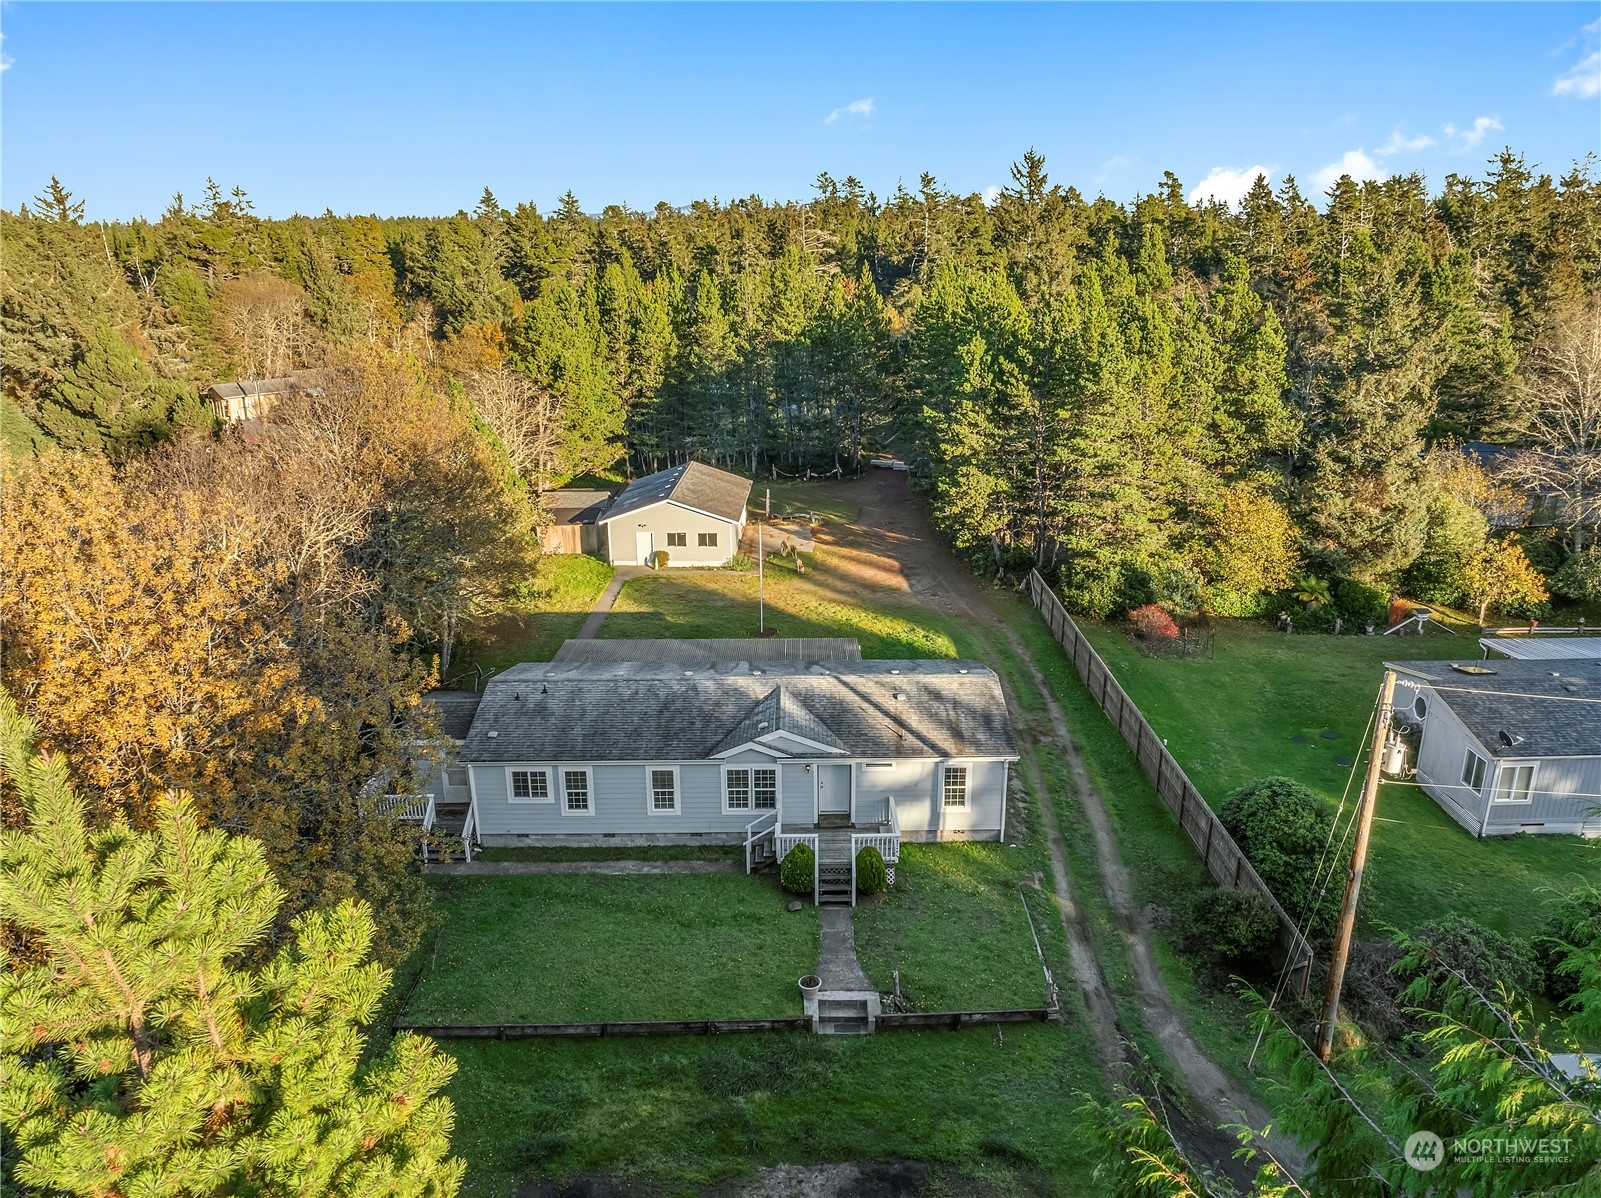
(760, 744)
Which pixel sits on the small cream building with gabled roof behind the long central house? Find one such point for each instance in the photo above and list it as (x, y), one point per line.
(694, 513)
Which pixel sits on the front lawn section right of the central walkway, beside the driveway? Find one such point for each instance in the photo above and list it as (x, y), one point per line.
(955, 928)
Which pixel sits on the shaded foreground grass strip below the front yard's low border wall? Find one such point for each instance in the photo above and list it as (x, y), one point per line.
(668, 1117)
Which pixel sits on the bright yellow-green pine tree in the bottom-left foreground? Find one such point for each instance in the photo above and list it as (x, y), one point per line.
(140, 1056)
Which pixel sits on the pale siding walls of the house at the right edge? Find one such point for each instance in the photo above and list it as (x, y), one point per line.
(1440, 760)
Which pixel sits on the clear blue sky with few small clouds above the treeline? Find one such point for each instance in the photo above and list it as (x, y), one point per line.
(415, 108)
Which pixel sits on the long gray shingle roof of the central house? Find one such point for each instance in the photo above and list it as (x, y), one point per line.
(673, 712)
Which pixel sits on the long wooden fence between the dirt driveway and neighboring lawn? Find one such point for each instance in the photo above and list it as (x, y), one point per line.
(1211, 840)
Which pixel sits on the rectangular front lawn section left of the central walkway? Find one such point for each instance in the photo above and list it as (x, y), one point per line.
(540, 949)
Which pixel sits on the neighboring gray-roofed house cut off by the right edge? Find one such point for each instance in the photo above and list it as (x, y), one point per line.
(1509, 747)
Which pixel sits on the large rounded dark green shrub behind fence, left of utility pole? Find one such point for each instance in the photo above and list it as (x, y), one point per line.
(1282, 829)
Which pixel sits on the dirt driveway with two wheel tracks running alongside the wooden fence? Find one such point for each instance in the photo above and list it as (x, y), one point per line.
(894, 545)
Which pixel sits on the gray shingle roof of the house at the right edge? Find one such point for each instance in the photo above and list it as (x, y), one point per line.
(1528, 701)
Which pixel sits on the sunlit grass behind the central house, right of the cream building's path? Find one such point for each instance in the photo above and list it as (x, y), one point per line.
(724, 603)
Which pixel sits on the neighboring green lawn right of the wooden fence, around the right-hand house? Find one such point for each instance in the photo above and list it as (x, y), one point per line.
(1230, 720)
